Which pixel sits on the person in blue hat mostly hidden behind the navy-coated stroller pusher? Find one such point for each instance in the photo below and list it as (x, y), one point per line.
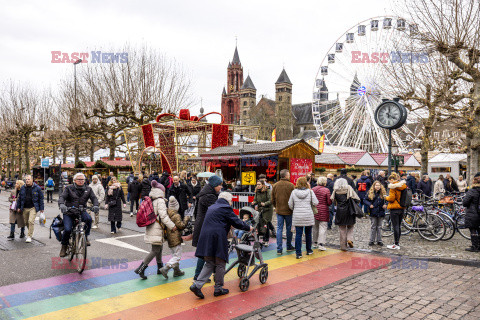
(207, 196)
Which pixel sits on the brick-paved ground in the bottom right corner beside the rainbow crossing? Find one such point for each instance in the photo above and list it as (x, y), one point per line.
(440, 291)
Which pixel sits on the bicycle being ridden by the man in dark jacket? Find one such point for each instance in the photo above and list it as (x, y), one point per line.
(77, 243)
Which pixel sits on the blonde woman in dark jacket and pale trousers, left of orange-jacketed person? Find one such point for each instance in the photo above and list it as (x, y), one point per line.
(375, 200)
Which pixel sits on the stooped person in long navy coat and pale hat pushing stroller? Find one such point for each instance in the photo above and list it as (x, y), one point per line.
(213, 243)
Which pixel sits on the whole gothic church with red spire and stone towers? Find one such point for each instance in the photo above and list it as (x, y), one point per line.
(240, 106)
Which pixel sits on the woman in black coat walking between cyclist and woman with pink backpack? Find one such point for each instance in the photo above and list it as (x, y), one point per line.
(115, 198)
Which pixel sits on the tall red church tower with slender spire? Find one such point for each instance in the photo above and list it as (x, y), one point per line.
(231, 96)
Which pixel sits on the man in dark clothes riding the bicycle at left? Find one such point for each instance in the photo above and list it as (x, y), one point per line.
(73, 197)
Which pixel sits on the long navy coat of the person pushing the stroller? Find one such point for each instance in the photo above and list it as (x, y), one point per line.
(213, 237)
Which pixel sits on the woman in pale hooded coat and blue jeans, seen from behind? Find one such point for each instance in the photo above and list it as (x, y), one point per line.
(301, 201)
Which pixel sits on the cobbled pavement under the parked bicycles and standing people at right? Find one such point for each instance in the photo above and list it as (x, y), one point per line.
(411, 245)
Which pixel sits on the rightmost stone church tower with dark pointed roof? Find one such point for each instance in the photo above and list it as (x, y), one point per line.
(283, 107)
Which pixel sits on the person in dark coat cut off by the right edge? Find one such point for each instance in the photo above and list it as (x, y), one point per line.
(472, 213)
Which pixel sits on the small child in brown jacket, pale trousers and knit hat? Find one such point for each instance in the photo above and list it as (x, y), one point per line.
(174, 239)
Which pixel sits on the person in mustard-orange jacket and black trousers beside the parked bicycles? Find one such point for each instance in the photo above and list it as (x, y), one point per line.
(396, 210)
